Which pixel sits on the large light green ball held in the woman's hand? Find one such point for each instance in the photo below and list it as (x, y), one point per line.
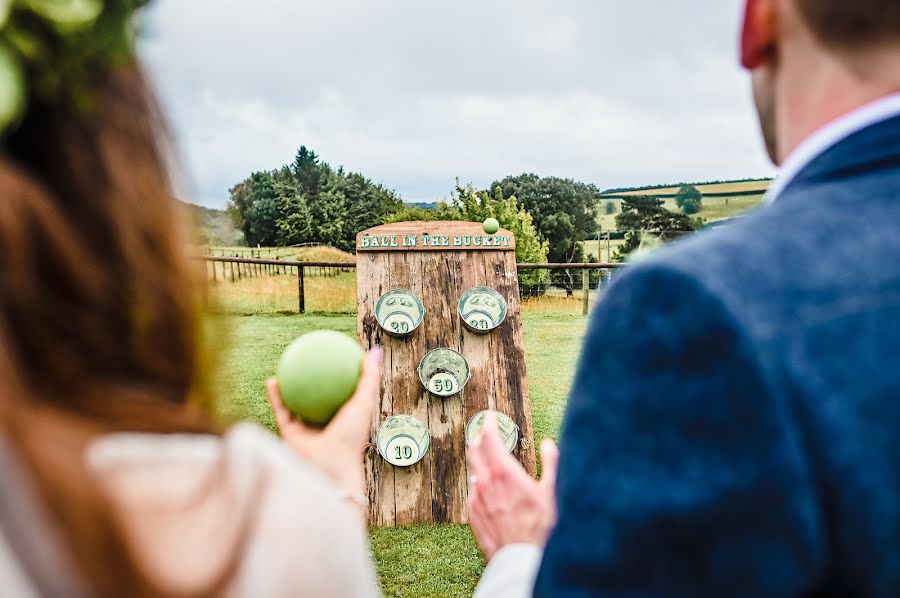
(318, 373)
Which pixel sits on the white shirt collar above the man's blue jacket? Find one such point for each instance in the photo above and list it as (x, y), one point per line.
(830, 135)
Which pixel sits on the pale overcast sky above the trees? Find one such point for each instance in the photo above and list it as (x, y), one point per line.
(414, 93)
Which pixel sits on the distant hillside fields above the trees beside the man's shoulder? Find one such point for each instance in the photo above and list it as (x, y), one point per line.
(721, 199)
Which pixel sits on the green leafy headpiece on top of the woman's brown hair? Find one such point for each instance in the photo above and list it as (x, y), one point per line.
(49, 50)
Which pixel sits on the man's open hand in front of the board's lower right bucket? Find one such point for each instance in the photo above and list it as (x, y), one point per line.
(505, 505)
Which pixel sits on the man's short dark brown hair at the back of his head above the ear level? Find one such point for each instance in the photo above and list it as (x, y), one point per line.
(852, 24)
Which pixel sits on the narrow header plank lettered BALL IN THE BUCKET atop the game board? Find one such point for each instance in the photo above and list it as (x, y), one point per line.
(434, 236)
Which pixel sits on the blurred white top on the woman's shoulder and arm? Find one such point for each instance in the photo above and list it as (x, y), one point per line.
(193, 503)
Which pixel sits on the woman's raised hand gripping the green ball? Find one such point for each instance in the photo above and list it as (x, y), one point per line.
(337, 449)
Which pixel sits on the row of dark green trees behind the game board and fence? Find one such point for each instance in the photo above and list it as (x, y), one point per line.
(309, 201)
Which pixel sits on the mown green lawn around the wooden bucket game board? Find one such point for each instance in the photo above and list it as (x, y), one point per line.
(422, 561)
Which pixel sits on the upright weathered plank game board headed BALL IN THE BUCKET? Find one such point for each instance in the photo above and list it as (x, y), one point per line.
(433, 489)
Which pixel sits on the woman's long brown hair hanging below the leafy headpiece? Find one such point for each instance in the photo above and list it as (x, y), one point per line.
(99, 328)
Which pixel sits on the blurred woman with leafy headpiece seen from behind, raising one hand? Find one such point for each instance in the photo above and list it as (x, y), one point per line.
(114, 480)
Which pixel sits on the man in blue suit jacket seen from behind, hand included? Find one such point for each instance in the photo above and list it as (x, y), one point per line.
(734, 428)
